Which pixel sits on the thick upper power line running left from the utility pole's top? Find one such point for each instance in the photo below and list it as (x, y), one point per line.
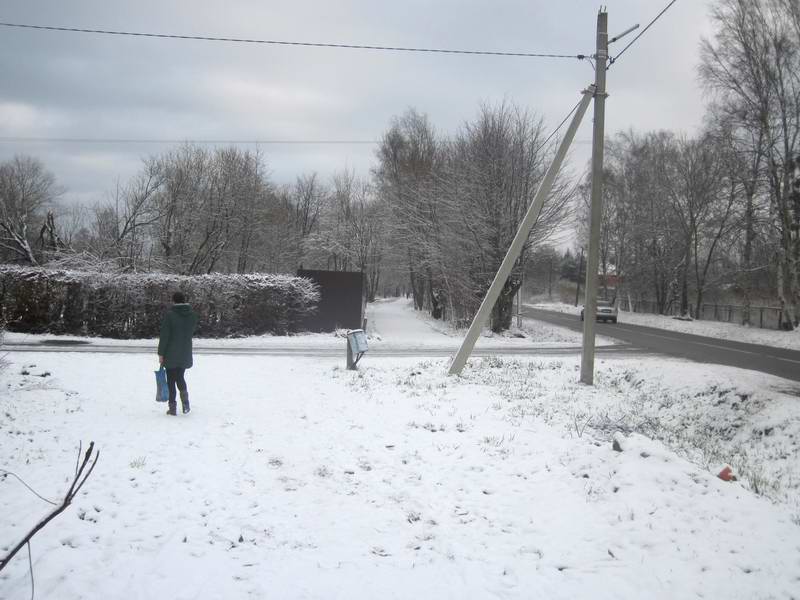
(208, 38)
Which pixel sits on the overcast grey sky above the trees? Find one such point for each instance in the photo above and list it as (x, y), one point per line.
(75, 85)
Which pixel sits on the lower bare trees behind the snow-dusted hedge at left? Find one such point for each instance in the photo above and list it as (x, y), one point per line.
(189, 211)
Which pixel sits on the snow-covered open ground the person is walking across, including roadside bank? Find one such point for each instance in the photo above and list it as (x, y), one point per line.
(294, 478)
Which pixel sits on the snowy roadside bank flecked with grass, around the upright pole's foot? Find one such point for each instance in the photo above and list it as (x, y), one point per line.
(711, 415)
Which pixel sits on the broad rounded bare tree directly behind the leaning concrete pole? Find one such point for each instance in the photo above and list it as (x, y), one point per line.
(494, 167)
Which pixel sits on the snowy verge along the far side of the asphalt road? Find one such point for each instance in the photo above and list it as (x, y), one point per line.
(727, 331)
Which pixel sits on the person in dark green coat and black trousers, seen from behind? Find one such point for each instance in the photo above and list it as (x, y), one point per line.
(175, 348)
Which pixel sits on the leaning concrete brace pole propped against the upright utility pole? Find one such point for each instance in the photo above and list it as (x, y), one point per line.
(519, 239)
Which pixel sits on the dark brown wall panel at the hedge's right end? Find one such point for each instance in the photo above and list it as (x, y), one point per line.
(341, 303)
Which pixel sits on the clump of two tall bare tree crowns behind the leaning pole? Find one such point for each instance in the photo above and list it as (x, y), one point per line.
(456, 204)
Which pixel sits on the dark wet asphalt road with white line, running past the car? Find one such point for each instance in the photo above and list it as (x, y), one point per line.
(775, 361)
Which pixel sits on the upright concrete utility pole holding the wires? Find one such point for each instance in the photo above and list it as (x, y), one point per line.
(593, 258)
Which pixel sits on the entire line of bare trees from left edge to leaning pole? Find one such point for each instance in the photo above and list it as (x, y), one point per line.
(436, 215)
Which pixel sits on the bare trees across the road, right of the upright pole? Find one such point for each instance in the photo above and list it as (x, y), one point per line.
(718, 211)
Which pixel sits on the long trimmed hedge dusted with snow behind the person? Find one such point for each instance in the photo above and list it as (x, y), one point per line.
(35, 300)
